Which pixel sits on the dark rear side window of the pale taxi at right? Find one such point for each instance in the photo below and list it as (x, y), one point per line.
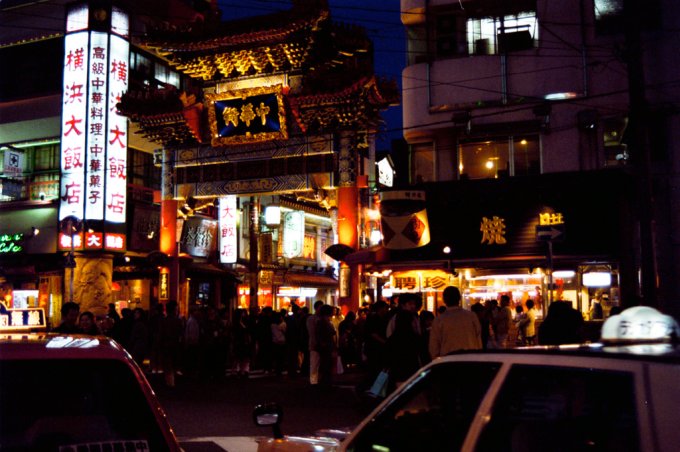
(566, 408)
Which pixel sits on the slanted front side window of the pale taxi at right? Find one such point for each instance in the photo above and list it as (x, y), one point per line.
(434, 414)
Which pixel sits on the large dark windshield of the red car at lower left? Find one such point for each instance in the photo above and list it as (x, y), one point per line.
(57, 404)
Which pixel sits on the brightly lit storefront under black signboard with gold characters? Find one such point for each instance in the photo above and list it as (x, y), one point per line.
(543, 238)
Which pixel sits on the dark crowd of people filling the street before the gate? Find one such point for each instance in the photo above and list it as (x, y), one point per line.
(397, 336)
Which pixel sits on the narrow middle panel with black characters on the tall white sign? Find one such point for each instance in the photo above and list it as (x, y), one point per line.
(96, 129)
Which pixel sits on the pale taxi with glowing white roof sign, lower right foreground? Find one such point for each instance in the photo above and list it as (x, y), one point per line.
(617, 394)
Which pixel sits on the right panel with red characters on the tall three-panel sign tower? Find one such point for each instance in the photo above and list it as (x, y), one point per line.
(116, 143)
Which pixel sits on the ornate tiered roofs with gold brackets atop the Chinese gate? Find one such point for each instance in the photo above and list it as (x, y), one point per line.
(334, 63)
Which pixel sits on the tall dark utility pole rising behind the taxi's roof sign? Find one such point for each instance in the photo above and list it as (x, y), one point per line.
(640, 154)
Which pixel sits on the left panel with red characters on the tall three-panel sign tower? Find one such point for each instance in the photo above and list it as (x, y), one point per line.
(74, 125)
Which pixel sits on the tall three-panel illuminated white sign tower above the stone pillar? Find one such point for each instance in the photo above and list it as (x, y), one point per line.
(94, 136)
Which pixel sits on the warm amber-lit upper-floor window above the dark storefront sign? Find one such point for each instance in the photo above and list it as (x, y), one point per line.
(500, 157)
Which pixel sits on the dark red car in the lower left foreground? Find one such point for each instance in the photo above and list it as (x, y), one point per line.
(64, 393)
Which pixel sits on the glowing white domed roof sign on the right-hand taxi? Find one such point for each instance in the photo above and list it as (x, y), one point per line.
(640, 324)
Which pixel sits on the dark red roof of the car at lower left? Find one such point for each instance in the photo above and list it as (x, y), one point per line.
(59, 346)
